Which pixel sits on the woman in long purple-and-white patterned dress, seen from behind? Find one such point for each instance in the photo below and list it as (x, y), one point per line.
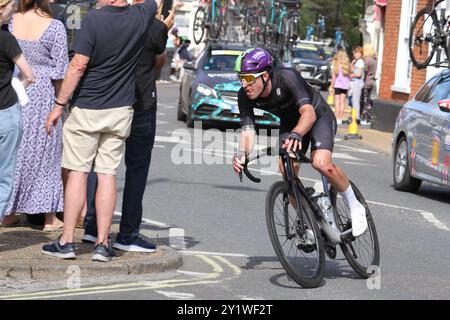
(38, 186)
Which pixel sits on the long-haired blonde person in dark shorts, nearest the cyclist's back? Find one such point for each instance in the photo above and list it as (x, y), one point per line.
(340, 82)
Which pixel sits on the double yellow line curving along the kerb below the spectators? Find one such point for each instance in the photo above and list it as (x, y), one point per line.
(215, 276)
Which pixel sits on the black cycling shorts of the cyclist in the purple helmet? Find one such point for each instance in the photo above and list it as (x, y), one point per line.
(321, 135)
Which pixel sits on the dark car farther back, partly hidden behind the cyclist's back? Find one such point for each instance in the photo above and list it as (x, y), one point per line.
(311, 62)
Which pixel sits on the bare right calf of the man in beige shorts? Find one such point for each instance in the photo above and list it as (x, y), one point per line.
(105, 203)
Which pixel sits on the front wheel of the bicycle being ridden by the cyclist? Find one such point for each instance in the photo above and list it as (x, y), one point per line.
(301, 255)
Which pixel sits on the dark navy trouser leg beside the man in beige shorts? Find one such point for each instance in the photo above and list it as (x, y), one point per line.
(138, 154)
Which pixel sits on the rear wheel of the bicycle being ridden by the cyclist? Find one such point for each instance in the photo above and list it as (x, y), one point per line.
(363, 252)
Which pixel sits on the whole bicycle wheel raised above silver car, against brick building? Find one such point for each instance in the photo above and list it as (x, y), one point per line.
(423, 35)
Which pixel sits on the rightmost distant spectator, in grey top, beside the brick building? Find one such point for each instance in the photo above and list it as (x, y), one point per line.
(370, 60)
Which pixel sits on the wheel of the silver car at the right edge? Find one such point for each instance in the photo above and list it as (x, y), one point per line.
(402, 175)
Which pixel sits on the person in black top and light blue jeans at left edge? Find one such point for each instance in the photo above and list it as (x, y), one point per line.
(10, 110)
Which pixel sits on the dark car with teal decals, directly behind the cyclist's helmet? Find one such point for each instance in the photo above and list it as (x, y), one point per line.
(209, 89)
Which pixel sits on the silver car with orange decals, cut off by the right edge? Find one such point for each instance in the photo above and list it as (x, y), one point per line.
(421, 138)
